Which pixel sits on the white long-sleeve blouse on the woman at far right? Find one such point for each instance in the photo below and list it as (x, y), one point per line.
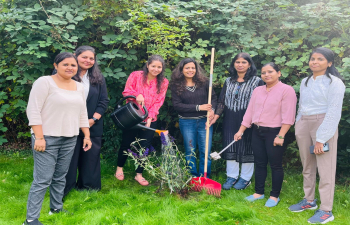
(322, 95)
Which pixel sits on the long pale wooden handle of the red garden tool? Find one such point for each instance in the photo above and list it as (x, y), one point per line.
(209, 102)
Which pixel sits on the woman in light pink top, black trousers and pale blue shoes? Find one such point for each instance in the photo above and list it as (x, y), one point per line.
(271, 111)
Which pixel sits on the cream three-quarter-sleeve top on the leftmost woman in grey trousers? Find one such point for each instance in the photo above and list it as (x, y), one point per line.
(60, 112)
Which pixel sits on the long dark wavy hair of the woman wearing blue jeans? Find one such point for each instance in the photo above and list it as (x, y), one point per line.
(178, 80)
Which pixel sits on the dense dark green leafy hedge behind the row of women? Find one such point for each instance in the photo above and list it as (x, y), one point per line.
(125, 33)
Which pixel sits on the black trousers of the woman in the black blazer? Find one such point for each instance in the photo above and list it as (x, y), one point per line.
(88, 165)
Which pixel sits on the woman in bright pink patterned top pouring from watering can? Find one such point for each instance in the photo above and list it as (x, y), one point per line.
(149, 86)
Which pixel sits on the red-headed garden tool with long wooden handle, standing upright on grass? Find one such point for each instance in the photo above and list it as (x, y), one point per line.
(212, 187)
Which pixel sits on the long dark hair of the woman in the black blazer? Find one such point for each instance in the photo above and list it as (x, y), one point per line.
(94, 73)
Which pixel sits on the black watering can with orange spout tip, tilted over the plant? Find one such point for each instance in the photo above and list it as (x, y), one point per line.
(130, 116)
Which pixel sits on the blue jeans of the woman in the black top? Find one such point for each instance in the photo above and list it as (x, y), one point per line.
(193, 132)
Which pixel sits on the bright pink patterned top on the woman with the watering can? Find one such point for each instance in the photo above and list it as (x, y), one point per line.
(153, 101)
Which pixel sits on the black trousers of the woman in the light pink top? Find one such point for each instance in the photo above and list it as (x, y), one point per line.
(264, 152)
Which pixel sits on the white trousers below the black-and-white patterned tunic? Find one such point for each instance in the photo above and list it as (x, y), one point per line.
(232, 169)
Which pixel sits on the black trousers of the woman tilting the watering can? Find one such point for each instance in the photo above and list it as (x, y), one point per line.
(130, 136)
